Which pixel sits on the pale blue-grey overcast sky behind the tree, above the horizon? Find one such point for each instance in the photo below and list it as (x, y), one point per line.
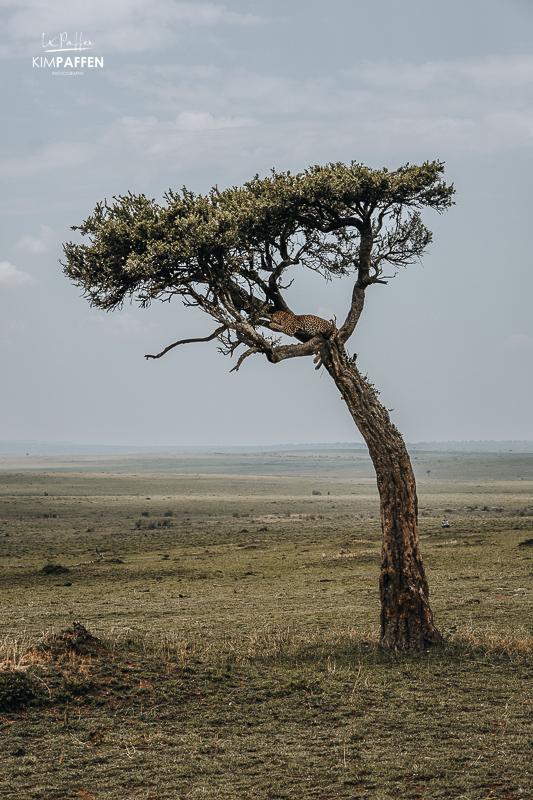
(199, 94)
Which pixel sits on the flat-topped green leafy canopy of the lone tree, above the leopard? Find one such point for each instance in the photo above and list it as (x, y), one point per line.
(229, 249)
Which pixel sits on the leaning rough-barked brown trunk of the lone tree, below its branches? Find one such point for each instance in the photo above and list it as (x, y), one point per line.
(406, 617)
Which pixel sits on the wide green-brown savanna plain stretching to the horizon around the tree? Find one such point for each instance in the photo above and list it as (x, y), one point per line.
(207, 625)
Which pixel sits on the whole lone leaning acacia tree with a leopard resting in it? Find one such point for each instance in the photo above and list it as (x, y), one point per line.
(231, 253)
